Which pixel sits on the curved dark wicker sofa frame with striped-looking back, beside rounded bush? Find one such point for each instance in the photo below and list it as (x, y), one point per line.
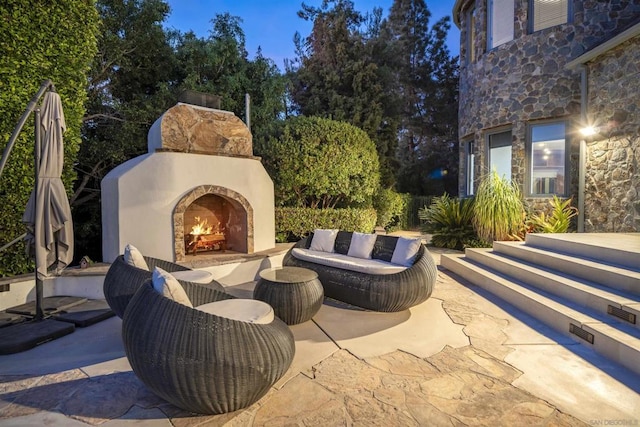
(397, 291)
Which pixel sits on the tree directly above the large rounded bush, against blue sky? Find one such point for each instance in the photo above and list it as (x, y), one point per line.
(334, 75)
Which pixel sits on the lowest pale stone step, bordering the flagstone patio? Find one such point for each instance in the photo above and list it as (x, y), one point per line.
(617, 341)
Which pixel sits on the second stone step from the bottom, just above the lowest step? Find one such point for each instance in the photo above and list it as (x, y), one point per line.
(617, 304)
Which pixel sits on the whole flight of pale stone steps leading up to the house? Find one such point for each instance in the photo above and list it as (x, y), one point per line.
(586, 286)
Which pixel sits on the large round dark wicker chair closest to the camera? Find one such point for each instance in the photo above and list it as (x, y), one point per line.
(200, 362)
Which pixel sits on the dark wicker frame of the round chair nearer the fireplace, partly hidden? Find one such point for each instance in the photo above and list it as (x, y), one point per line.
(123, 280)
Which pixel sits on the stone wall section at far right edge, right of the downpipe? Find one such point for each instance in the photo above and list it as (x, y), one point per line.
(612, 187)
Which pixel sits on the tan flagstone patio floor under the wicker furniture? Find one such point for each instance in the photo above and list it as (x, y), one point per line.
(462, 357)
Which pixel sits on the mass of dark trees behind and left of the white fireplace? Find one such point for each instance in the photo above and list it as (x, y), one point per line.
(138, 74)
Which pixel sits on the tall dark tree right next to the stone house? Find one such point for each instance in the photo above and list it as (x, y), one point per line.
(426, 77)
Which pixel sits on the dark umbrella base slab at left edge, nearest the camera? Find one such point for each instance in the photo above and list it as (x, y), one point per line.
(26, 335)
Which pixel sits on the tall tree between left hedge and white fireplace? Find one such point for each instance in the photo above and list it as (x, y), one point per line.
(131, 83)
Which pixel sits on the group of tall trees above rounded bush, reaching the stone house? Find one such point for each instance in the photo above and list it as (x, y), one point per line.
(394, 78)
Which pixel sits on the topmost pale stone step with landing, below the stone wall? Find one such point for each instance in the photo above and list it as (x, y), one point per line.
(622, 249)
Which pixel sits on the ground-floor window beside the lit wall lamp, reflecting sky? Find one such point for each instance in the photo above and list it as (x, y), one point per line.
(547, 146)
